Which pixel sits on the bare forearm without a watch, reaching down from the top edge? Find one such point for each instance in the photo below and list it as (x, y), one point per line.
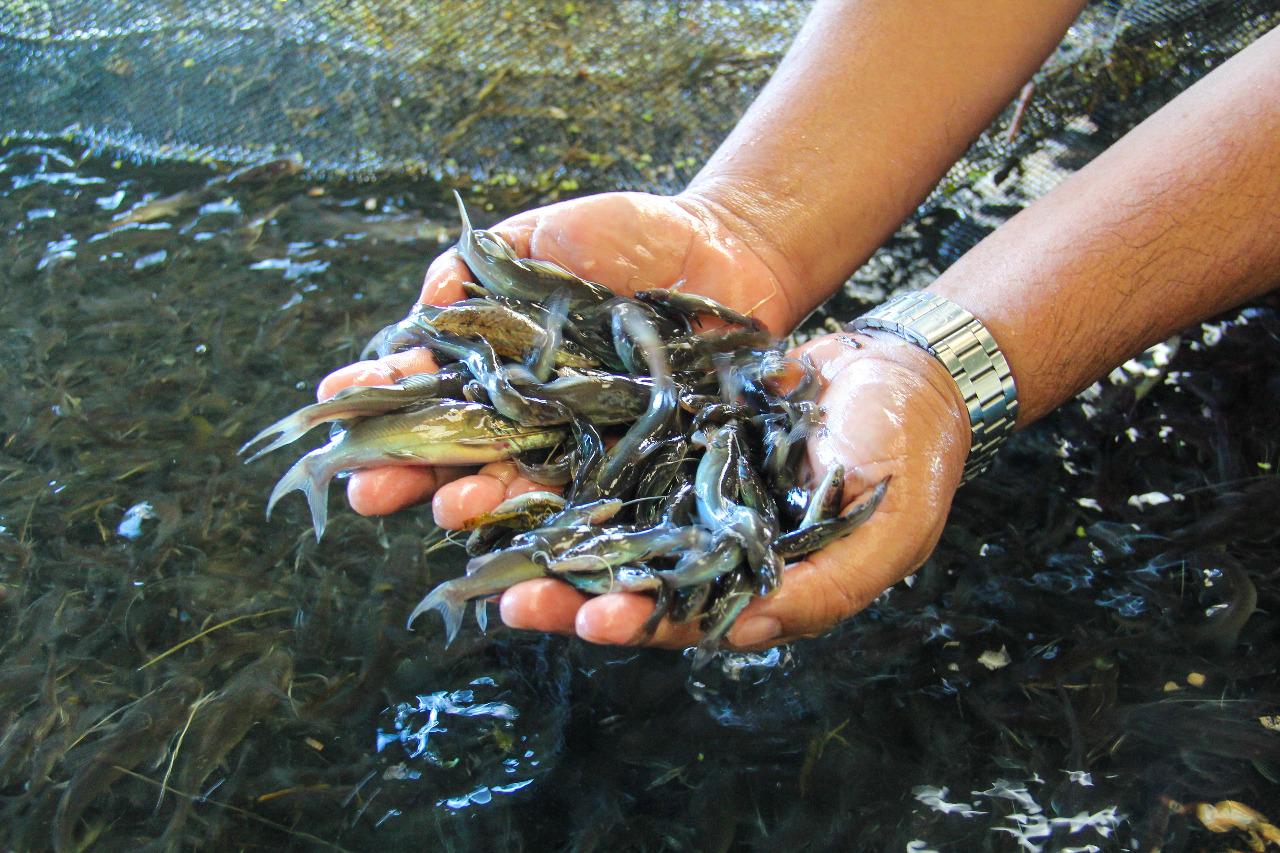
(870, 108)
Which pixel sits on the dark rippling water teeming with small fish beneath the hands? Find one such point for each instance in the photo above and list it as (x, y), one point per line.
(1091, 653)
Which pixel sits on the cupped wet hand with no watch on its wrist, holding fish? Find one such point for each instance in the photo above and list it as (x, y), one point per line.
(625, 241)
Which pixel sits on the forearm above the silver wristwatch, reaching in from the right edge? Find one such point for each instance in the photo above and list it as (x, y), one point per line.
(1177, 222)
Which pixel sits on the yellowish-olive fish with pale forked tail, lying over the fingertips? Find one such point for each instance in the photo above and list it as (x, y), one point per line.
(442, 434)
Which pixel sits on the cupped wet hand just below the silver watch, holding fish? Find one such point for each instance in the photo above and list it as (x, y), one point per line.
(890, 410)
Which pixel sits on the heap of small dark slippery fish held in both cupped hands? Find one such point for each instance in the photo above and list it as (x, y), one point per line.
(698, 503)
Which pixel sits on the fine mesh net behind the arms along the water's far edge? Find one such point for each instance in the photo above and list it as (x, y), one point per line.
(552, 97)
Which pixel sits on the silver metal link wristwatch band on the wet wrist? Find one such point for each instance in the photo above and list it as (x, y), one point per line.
(968, 352)
